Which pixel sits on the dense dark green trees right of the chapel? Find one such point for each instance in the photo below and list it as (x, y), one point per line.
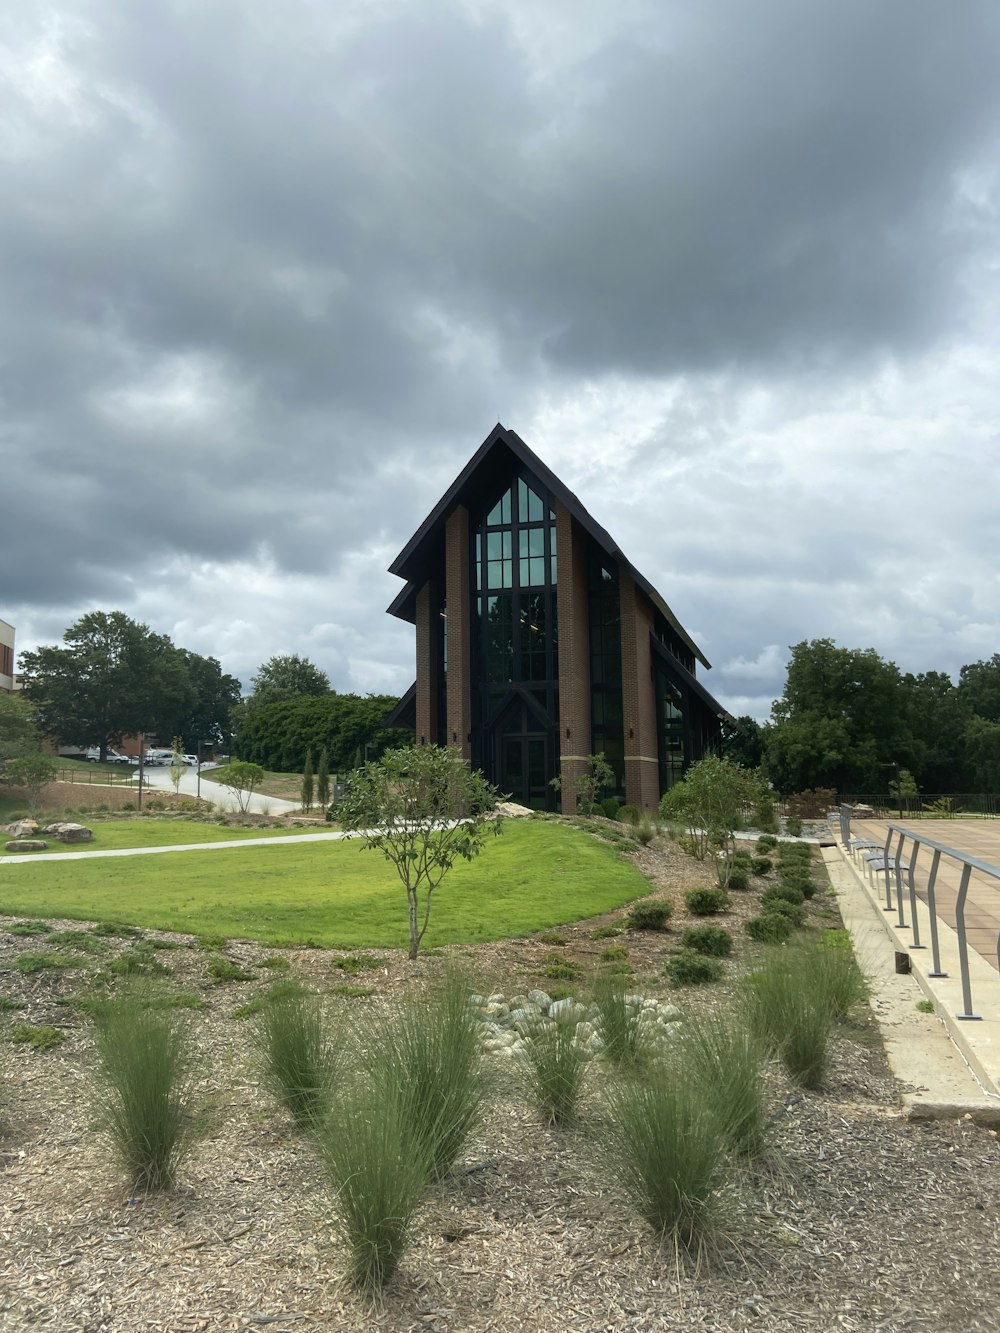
(850, 720)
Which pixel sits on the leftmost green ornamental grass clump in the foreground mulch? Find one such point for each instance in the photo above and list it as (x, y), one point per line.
(145, 1087)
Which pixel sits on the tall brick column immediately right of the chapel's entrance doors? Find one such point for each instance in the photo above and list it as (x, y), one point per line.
(574, 655)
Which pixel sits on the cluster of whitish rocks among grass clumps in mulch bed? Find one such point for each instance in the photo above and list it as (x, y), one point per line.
(506, 1024)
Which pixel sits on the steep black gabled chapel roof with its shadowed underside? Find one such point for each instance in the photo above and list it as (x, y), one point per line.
(475, 487)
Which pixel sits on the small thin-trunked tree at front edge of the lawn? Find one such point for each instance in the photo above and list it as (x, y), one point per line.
(423, 810)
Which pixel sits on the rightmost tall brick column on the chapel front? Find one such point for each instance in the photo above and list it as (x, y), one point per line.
(638, 703)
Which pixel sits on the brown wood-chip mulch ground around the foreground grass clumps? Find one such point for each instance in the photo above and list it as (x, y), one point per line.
(862, 1220)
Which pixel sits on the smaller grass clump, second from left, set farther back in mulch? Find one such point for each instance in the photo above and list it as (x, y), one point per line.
(301, 1058)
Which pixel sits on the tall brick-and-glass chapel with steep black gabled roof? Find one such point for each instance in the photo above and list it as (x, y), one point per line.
(538, 643)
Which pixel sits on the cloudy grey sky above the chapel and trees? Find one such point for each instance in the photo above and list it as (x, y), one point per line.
(270, 274)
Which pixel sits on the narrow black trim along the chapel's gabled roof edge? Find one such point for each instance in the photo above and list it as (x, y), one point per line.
(409, 563)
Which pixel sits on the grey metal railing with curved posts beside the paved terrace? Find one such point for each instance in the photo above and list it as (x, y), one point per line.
(899, 862)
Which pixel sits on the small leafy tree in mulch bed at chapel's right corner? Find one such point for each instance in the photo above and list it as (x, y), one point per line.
(711, 803)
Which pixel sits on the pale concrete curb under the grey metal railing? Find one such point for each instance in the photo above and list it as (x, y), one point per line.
(945, 1074)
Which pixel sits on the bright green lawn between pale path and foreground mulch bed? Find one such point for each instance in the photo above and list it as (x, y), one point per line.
(335, 895)
